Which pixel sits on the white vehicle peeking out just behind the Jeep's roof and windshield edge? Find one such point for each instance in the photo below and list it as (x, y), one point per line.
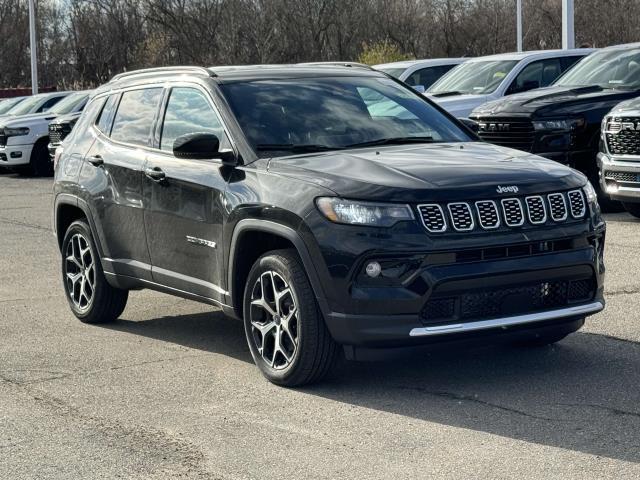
(420, 74)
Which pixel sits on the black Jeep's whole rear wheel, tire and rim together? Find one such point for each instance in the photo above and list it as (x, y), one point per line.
(90, 296)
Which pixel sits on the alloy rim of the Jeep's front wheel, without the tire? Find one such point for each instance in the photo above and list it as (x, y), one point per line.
(274, 320)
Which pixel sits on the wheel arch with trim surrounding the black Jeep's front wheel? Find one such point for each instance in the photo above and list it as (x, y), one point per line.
(259, 237)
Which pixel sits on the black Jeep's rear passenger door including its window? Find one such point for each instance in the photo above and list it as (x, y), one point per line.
(113, 175)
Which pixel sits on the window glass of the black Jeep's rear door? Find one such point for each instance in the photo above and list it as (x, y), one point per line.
(133, 120)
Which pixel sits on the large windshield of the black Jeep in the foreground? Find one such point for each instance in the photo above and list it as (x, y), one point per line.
(316, 114)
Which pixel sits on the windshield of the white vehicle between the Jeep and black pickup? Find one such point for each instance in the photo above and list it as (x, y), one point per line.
(474, 77)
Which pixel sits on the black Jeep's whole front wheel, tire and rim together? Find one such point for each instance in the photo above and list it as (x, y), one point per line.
(288, 338)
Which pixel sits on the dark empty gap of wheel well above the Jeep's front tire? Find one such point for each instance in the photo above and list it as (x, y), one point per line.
(250, 246)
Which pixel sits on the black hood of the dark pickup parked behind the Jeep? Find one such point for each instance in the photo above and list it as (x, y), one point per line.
(555, 102)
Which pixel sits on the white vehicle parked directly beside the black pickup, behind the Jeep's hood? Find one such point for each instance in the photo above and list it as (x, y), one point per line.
(482, 79)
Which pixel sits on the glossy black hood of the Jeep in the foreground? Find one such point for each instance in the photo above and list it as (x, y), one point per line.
(417, 173)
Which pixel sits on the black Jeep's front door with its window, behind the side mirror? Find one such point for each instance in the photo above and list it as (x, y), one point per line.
(184, 198)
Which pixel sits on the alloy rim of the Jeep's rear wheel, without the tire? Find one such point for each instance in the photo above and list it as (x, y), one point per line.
(80, 272)
